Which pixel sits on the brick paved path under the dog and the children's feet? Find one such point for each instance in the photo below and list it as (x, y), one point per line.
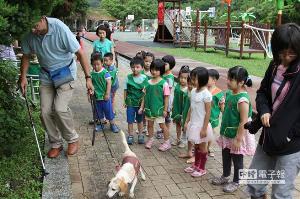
(94, 166)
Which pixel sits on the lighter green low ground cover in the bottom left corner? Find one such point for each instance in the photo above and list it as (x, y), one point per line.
(20, 172)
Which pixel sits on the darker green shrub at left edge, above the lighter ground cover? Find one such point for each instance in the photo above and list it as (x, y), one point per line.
(14, 119)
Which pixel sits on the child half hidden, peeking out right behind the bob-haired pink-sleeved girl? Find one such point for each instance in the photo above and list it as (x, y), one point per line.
(169, 77)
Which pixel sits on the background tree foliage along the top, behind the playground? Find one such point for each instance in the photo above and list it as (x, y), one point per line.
(263, 10)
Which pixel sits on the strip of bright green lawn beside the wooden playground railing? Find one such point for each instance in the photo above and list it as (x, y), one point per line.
(256, 65)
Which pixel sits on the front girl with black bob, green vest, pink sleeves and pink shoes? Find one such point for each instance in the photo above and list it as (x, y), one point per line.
(156, 103)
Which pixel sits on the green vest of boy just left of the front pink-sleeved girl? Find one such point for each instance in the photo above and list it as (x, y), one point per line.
(135, 92)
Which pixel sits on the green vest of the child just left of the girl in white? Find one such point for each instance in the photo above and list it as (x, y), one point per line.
(178, 103)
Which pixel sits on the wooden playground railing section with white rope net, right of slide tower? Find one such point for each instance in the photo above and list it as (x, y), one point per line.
(241, 38)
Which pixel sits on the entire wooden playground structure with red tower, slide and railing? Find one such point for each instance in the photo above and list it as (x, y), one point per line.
(235, 36)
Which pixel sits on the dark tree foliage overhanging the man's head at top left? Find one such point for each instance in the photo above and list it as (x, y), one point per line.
(18, 16)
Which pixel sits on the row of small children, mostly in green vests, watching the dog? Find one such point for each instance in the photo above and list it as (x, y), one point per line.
(194, 104)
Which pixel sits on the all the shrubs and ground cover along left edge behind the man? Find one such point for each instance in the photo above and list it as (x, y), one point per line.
(19, 159)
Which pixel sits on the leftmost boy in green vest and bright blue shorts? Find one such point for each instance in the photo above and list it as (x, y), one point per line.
(102, 83)
